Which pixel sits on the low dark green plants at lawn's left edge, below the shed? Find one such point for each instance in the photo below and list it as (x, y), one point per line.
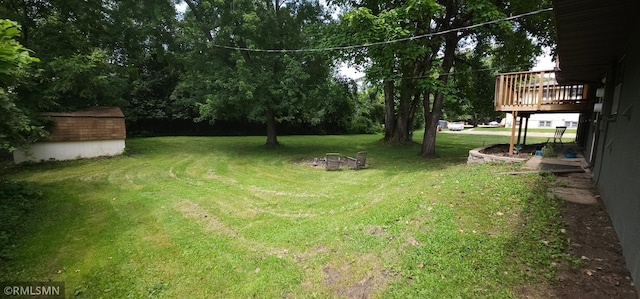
(16, 201)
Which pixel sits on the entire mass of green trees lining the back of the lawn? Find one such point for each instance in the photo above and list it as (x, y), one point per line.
(246, 61)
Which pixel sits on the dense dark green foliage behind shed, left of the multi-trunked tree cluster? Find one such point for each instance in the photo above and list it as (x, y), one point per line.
(157, 64)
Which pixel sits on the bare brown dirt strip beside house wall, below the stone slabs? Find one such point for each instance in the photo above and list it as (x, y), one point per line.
(601, 273)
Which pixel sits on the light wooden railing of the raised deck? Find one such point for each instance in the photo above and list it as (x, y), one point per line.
(538, 91)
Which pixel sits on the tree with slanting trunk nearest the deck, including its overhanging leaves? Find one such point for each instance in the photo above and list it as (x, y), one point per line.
(503, 35)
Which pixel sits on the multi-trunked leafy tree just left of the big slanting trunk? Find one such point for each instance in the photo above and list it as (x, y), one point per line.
(399, 68)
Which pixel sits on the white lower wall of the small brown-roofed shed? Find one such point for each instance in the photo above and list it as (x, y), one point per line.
(69, 150)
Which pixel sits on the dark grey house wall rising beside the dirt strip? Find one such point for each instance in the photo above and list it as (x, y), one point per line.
(616, 166)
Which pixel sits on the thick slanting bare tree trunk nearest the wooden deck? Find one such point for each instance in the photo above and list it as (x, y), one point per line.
(431, 118)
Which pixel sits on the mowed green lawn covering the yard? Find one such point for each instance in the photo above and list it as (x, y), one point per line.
(226, 217)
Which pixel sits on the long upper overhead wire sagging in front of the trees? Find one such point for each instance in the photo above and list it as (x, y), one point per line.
(338, 48)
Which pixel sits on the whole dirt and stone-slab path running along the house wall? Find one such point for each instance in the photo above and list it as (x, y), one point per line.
(602, 272)
